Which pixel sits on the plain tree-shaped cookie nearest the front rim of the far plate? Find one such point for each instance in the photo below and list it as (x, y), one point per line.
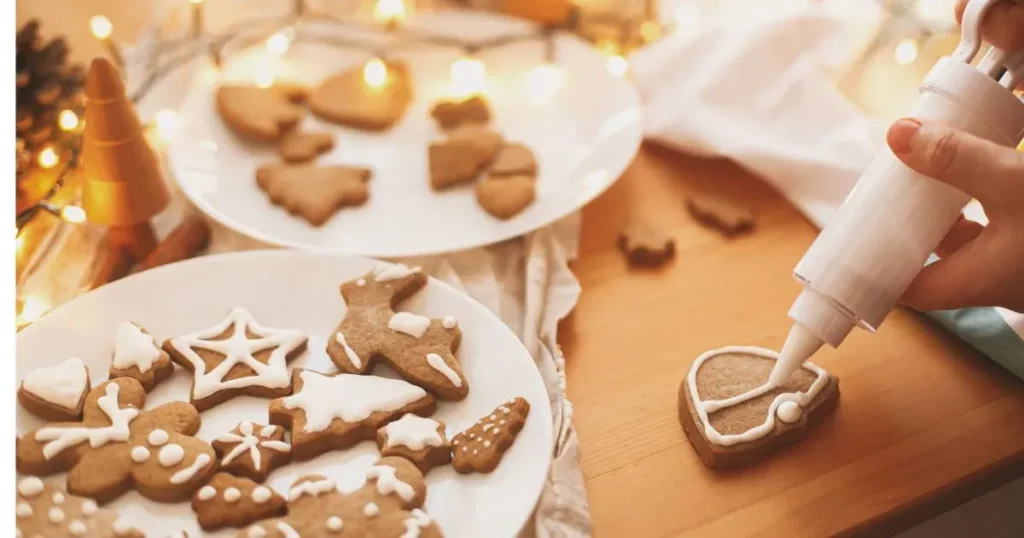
(315, 193)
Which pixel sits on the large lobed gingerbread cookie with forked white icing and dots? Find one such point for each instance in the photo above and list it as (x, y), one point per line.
(117, 448)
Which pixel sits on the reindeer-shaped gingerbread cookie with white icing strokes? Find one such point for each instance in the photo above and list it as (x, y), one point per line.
(420, 350)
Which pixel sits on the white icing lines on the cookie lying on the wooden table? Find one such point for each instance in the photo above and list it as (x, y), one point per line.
(705, 408)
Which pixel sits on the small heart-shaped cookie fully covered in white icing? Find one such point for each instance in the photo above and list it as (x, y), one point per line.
(56, 393)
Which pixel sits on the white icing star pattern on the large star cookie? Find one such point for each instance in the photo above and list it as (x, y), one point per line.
(238, 349)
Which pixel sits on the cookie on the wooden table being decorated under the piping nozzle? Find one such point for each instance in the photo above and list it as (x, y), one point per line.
(733, 416)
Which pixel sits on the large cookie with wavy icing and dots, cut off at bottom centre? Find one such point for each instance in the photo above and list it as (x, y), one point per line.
(389, 506)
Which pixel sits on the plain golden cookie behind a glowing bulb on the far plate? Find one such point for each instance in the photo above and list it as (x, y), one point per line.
(347, 99)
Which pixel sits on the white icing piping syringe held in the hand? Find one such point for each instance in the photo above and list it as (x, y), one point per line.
(880, 239)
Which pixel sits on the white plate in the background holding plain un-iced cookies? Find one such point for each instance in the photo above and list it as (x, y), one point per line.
(584, 138)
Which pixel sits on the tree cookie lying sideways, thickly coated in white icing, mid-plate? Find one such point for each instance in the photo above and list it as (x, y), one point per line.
(337, 411)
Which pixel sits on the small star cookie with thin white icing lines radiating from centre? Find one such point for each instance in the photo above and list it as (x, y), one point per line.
(253, 450)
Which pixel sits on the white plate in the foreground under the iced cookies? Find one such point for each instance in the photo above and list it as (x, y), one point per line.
(294, 289)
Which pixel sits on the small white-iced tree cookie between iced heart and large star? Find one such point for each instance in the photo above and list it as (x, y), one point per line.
(137, 355)
